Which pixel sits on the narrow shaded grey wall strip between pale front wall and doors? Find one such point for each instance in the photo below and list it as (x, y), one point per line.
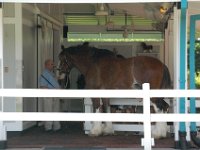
(29, 78)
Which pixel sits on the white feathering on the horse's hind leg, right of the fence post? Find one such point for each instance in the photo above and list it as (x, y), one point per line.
(159, 130)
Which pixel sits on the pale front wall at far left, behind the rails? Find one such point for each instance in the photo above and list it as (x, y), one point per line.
(12, 55)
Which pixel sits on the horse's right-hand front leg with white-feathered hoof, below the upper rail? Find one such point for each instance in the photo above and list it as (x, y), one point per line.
(108, 127)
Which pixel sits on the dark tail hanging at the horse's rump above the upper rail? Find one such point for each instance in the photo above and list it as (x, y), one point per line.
(166, 79)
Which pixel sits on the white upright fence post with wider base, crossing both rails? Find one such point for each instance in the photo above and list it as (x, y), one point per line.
(147, 141)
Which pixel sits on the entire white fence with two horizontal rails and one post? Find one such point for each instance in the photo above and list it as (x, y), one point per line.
(146, 117)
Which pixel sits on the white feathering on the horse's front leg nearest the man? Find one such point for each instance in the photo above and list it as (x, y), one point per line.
(97, 127)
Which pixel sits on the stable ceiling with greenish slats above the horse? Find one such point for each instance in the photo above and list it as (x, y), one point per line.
(140, 16)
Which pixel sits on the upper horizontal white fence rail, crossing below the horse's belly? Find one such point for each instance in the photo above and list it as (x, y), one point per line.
(96, 93)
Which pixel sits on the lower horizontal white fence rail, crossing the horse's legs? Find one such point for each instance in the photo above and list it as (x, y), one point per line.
(113, 117)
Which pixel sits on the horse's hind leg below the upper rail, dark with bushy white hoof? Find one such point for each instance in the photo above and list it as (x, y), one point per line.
(160, 129)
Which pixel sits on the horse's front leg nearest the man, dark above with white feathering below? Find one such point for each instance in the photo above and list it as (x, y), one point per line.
(97, 125)
